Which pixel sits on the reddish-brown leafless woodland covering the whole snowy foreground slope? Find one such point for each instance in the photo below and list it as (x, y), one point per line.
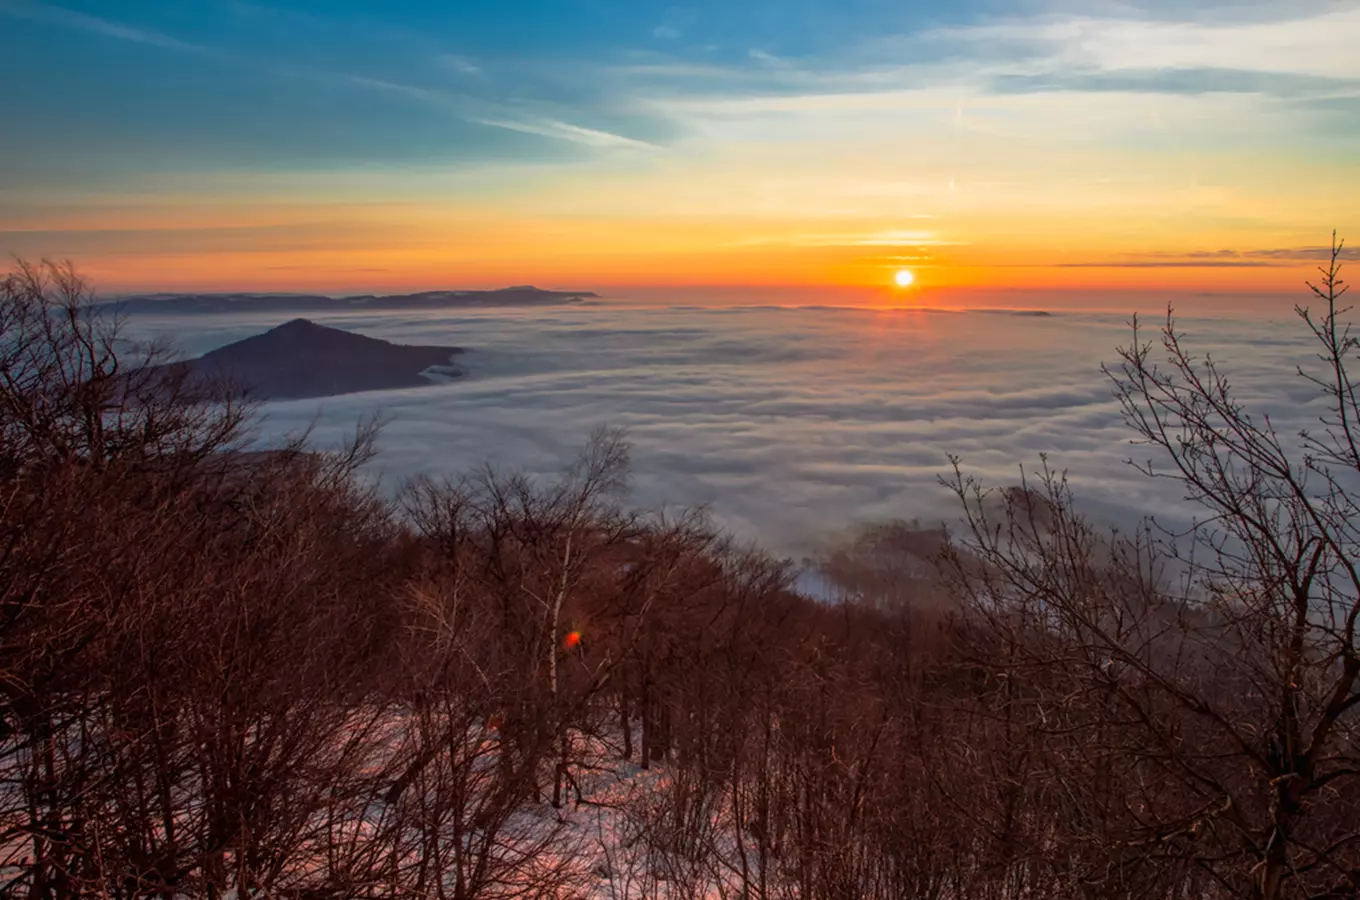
(235, 672)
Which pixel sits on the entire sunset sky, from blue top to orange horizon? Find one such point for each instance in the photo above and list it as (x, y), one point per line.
(409, 145)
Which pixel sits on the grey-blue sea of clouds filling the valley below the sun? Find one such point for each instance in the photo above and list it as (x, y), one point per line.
(792, 425)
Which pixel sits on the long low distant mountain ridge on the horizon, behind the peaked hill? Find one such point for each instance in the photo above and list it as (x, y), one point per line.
(248, 302)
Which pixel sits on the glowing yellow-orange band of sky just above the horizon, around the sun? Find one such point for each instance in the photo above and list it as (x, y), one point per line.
(1253, 228)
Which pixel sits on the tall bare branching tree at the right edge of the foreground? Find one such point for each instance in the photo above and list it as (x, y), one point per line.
(1211, 675)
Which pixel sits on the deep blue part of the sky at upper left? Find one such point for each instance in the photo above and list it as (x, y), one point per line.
(320, 84)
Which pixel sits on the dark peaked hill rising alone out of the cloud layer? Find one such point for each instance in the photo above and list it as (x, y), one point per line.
(304, 360)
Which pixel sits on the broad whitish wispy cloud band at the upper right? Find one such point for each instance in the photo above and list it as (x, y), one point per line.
(1297, 56)
